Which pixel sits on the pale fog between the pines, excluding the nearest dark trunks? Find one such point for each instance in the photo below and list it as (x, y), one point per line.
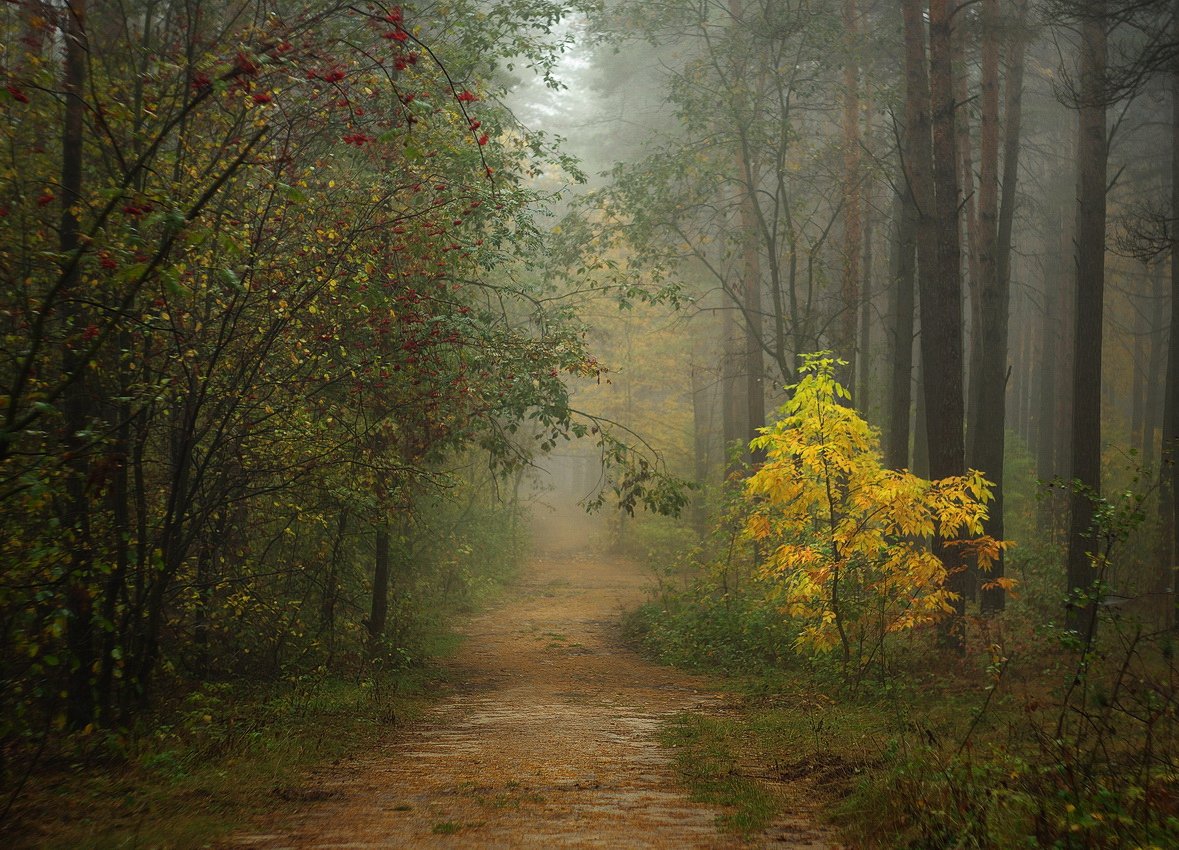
(753, 223)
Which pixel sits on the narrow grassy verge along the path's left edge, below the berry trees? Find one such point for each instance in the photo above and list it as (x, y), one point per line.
(218, 757)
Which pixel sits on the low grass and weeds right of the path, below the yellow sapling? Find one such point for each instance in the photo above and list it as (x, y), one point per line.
(946, 752)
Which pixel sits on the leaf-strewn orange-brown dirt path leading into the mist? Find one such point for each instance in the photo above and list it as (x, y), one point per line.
(550, 742)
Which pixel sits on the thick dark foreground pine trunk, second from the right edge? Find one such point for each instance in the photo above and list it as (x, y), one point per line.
(1091, 221)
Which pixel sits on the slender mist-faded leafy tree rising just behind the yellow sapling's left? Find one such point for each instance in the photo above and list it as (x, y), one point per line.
(747, 187)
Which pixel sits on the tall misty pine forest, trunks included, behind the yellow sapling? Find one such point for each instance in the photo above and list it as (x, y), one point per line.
(969, 203)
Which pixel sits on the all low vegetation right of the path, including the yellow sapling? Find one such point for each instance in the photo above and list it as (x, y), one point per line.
(921, 728)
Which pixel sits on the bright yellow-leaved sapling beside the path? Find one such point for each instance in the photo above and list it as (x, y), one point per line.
(846, 541)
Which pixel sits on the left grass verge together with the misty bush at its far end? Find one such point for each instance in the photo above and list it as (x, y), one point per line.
(215, 755)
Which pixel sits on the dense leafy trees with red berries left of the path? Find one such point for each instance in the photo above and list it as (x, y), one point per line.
(292, 318)
